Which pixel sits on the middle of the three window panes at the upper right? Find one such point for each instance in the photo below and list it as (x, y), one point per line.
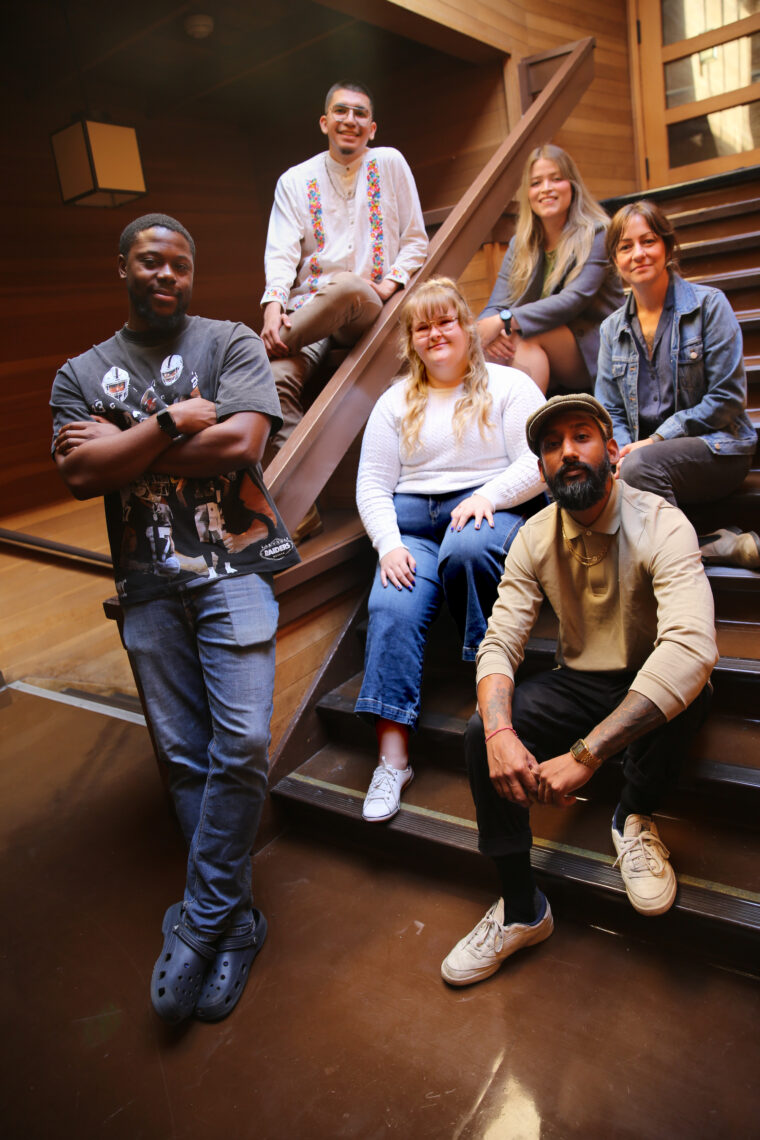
(716, 71)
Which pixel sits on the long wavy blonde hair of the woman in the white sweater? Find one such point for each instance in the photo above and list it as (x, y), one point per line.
(435, 298)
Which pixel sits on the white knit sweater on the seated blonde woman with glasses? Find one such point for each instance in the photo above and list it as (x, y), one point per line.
(499, 466)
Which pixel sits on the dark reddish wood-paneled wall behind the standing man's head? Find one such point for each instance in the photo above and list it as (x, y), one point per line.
(59, 288)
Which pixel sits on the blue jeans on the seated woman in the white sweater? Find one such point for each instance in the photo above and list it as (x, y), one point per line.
(463, 567)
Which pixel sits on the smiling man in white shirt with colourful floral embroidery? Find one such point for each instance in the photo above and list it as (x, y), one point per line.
(346, 233)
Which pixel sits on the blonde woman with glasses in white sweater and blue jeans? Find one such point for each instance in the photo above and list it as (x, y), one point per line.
(446, 481)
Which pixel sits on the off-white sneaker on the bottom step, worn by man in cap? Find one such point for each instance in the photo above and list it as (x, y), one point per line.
(649, 878)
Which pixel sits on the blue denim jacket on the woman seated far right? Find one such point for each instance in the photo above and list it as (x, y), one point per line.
(707, 359)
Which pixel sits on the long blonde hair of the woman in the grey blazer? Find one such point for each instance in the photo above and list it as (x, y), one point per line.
(585, 218)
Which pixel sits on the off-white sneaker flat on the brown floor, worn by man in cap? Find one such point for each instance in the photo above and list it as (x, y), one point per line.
(480, 954)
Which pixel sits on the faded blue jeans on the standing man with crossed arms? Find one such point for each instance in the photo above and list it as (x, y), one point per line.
(206, 659)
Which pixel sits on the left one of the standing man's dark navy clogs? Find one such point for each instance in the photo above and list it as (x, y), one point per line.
(179, 973)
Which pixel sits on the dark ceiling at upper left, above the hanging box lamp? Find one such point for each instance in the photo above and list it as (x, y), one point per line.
(254, 70)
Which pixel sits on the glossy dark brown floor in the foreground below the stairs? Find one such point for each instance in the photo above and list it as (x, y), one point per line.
(346, 1030)
